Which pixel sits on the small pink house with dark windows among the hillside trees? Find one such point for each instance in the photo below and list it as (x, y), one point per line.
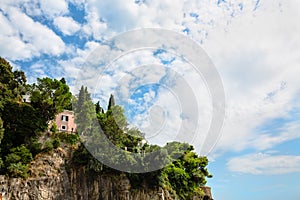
(65, 121)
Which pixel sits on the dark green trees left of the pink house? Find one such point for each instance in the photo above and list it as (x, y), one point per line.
(21, 123)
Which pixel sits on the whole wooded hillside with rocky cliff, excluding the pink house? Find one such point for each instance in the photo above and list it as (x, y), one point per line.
(39, 161)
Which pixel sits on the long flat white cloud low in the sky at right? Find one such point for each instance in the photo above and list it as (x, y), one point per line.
(265, 164)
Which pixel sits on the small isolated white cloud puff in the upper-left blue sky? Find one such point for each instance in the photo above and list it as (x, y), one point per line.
(66, 25)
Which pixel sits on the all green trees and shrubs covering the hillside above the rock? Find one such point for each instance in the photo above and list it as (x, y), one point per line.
(23, 124)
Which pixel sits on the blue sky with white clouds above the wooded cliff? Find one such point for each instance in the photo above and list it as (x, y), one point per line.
(253, 44)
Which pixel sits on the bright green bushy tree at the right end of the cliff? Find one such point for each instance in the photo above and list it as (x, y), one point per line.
(186, 173)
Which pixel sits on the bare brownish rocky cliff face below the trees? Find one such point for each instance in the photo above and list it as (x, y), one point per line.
(49, 179)
